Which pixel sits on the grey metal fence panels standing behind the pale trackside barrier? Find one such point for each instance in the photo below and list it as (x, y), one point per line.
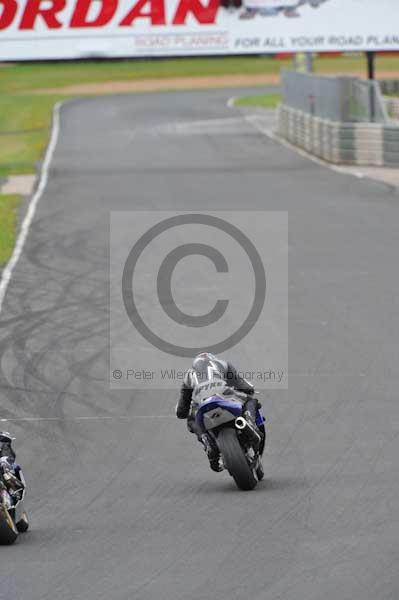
(343, 99)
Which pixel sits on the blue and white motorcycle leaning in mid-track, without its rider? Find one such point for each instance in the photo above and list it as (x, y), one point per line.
(218, 411)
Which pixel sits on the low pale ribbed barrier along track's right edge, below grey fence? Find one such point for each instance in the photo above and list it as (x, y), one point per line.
(340, 143)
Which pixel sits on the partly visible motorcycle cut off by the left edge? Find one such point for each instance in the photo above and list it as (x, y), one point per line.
(13, 516)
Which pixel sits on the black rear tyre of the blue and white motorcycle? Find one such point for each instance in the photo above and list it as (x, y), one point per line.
(235, 461)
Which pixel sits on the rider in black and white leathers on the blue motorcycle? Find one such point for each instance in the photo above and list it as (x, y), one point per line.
(207, 367)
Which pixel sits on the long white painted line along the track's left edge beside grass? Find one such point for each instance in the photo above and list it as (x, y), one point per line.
(26, 223)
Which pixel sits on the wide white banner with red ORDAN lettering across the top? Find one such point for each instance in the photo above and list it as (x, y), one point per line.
(54, 29)
